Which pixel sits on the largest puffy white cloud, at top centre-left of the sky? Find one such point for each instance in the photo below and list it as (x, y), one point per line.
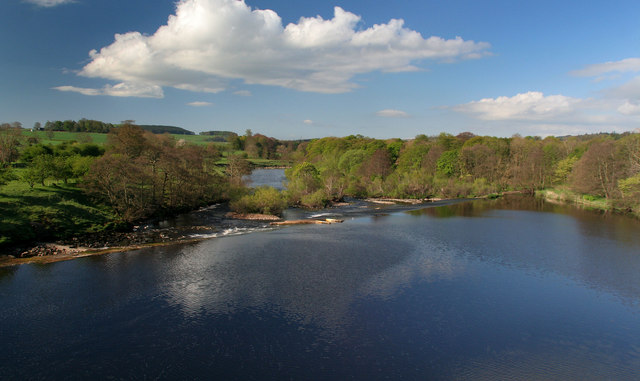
(207, 43)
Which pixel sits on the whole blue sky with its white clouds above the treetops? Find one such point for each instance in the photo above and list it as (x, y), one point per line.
(293, 69)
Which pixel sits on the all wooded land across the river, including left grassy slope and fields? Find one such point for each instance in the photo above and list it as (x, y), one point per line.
(91, 182)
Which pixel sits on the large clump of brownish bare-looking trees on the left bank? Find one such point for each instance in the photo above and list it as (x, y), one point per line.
(143, 174)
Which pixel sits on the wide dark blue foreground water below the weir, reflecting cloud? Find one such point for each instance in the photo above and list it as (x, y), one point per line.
(514, 288)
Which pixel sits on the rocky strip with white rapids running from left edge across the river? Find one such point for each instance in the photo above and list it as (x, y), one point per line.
(209, 227)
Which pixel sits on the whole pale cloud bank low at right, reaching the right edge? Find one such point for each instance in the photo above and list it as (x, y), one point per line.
(616, 108)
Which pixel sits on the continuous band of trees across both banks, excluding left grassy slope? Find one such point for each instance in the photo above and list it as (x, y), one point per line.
(140, 174)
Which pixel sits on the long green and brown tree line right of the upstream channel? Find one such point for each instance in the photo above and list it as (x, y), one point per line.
(603, 165)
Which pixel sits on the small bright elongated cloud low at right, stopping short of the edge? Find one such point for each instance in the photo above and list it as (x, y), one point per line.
(525, 106)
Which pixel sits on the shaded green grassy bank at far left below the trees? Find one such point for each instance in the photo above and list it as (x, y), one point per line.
(48, 212)
